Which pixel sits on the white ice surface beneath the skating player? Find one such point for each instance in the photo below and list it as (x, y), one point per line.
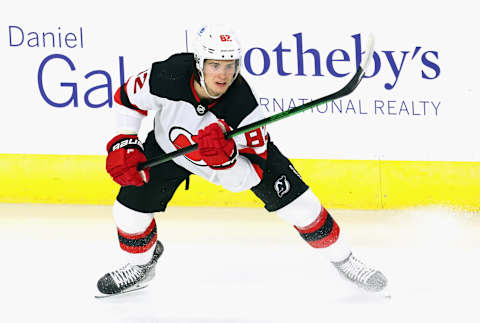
(238, 265)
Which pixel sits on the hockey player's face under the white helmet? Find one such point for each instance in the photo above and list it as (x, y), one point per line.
(218, 75)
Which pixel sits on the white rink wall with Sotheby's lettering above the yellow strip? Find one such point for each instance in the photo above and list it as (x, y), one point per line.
(142, 32)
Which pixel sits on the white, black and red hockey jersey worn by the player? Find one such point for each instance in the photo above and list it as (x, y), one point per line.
(167, 89)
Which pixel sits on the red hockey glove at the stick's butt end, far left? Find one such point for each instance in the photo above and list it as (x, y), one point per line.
(125, 152)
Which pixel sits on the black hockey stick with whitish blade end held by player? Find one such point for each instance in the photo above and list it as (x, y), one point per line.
(346, 90)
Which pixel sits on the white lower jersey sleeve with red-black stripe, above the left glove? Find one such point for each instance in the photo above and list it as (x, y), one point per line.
(132, 101)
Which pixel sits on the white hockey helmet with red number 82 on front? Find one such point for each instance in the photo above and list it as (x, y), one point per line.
(216, 42)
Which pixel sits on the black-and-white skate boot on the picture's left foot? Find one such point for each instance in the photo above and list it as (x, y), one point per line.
(130, 277)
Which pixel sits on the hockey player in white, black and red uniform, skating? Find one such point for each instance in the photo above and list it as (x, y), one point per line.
(197, 97)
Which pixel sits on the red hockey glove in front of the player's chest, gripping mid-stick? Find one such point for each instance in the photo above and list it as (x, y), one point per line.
(215, 150)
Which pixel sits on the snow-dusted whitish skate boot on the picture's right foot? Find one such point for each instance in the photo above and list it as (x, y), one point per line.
(355, 271)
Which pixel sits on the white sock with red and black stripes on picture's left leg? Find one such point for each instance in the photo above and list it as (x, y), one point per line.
(137, 233)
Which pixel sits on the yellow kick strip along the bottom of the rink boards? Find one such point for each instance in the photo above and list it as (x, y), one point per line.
(347, 184)
